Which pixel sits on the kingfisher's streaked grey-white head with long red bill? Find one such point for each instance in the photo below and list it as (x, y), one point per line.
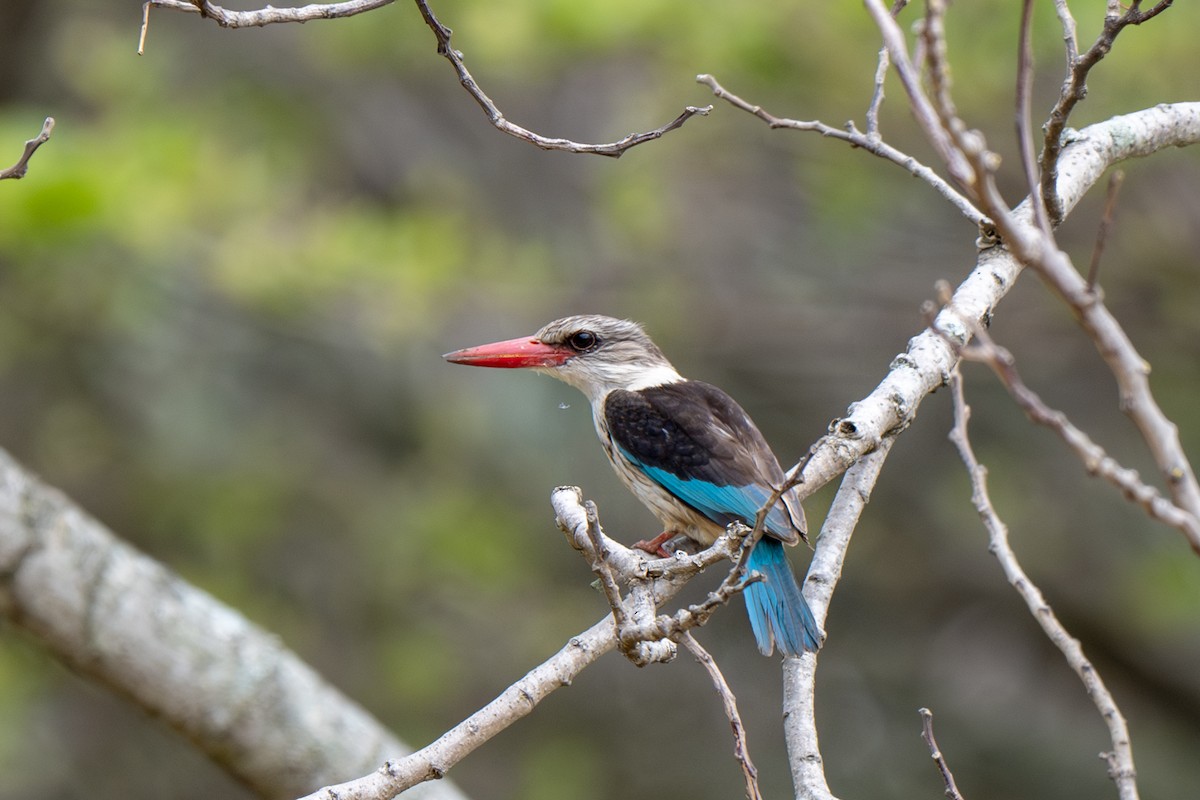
(595, 354)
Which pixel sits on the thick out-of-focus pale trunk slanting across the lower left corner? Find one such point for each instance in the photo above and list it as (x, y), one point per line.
(116, 616)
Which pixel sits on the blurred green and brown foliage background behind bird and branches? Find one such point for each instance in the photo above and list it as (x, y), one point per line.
(226, 286)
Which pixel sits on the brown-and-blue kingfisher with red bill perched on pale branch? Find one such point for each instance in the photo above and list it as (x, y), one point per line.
(685, 448)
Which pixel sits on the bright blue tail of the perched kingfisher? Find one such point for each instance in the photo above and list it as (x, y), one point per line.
(778, 612)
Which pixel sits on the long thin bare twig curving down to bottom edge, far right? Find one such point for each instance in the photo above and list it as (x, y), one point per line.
(1120, 760)
